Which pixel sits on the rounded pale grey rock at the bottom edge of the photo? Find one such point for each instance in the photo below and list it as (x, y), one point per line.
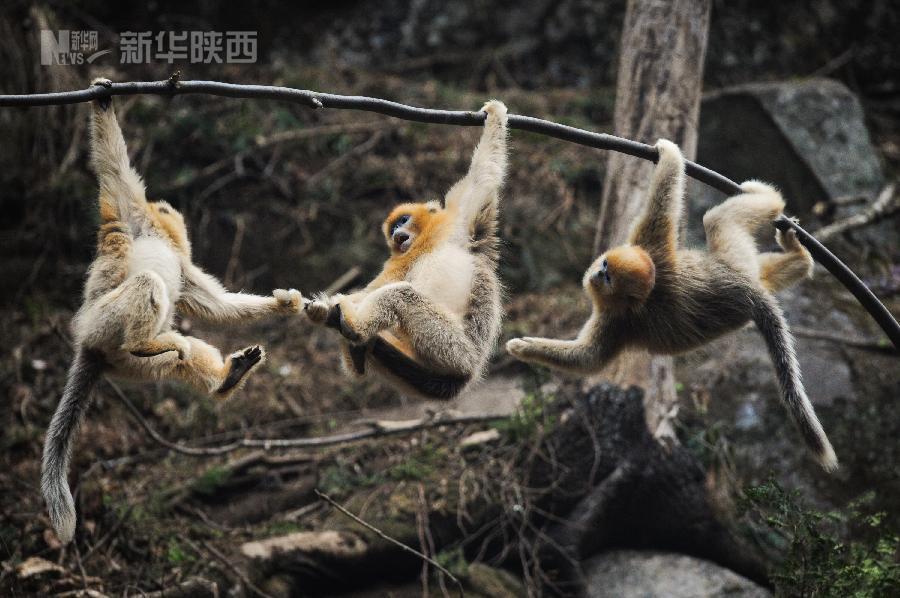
(635, 574)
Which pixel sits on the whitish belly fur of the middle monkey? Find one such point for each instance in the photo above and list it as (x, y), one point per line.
(445, 277)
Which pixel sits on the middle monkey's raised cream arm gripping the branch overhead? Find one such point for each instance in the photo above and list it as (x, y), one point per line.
(480, 187)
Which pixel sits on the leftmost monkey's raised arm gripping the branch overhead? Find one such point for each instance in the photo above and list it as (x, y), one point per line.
(122, 193)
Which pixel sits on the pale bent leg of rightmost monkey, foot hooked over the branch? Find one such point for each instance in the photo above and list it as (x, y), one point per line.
(731, 226)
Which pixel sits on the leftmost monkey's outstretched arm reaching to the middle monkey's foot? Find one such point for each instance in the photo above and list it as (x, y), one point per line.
(205, 298)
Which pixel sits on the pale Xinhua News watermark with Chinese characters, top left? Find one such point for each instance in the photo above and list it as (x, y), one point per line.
(143, 47)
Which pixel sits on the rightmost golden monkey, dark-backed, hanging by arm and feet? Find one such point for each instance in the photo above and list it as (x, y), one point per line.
(649, 294)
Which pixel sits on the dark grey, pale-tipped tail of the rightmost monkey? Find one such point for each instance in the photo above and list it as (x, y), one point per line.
(770, 320)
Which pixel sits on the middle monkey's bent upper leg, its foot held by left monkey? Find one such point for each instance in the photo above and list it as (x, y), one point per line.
(435, 336)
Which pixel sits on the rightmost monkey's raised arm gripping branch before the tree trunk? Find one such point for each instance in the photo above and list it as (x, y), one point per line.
(657, 228)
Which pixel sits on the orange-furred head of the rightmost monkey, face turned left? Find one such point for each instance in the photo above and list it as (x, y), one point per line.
(622, 277)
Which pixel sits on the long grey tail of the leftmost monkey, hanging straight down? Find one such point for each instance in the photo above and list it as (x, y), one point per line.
(83, 375)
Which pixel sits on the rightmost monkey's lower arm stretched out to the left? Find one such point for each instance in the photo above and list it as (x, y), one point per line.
(576, 356)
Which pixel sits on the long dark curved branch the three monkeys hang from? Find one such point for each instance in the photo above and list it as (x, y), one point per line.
(314, 99)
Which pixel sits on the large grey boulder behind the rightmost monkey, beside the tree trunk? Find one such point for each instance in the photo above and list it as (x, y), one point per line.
(808, 137)
